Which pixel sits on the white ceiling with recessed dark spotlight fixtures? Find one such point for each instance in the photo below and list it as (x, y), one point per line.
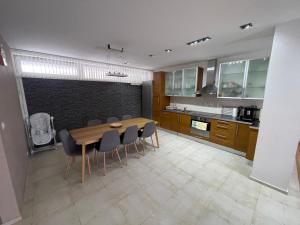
(82, 29)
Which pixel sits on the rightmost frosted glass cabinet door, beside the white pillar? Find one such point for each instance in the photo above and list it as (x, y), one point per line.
(257, 75)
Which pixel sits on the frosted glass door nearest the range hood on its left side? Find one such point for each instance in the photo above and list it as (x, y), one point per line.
(189, 82)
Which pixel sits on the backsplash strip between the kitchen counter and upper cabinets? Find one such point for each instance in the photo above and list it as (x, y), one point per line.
(214, 102)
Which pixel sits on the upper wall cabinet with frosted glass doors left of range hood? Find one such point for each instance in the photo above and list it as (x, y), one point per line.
(182, 82)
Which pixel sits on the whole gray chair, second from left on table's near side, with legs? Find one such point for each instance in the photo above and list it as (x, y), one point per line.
(110, 142)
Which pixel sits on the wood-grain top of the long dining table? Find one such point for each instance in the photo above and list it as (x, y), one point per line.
(92, 134)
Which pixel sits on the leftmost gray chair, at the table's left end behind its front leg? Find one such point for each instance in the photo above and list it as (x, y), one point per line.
(72, 149)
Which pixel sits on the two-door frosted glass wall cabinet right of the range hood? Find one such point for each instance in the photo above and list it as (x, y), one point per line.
(243, 79)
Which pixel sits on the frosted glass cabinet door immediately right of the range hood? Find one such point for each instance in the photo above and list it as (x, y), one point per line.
(232, 79)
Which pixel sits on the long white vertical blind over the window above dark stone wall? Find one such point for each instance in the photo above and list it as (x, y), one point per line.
(38, 65)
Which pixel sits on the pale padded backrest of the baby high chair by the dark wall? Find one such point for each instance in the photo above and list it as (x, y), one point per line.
(40, 128)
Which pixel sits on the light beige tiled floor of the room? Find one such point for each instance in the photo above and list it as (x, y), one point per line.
(183, 182)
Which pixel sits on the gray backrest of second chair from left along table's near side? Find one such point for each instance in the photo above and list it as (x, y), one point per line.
(110, 140)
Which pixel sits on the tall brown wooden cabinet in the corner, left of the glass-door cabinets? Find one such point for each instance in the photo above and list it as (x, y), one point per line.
(159, 100)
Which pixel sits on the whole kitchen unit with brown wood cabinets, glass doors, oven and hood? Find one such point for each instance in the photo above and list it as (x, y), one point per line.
(219, 104)
